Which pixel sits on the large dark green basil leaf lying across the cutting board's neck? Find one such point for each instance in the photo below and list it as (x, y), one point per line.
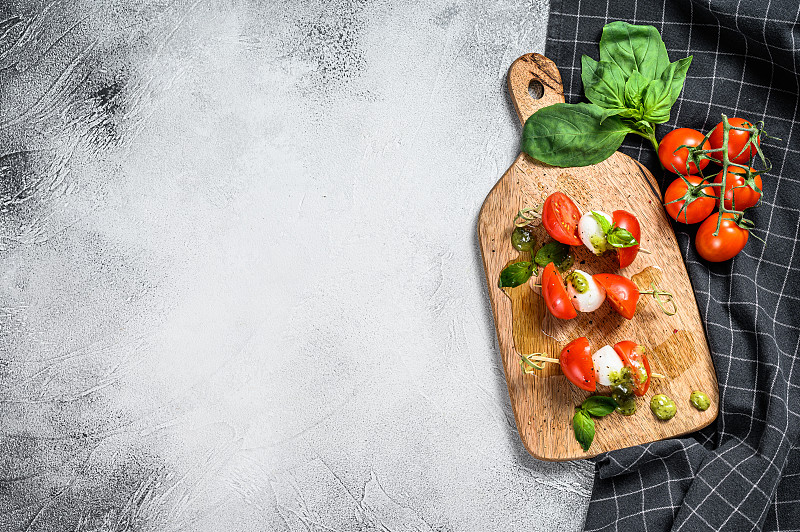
(572, 135)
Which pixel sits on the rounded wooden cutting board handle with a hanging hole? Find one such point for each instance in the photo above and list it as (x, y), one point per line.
(542, 76)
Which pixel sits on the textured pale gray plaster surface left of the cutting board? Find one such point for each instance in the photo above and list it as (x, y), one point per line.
(241, 288)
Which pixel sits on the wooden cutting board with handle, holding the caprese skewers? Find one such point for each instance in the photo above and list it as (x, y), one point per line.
(544, 402)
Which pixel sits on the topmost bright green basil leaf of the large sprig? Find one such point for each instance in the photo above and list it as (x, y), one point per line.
(634, 49)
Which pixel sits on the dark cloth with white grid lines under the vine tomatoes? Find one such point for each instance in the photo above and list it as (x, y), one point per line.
(742, 472)
